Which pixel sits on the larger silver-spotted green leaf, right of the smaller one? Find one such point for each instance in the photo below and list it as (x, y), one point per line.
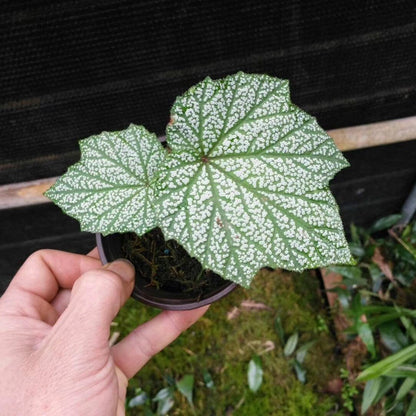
(246, 181)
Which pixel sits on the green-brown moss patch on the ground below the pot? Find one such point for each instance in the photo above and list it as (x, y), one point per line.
(224, 347)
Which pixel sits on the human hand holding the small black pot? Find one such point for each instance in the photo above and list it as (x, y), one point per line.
(55, 321)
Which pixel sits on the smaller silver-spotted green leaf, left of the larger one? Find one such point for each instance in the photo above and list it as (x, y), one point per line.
(111, 189)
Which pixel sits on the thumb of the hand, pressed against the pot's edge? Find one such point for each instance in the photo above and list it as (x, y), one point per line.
(96, 298)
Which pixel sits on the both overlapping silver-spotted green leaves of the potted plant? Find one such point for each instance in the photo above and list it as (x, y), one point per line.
(243, 184)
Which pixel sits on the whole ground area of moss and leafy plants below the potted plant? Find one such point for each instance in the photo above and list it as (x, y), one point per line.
(282, 327)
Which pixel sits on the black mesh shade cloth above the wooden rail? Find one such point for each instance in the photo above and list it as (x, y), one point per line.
(70, 69)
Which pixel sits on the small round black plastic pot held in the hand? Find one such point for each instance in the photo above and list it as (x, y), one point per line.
(109, 248)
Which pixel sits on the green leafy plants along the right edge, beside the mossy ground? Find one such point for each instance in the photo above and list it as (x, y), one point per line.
(380, 297)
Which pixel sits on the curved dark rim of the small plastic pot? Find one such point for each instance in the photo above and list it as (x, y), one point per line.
(166, 303)
